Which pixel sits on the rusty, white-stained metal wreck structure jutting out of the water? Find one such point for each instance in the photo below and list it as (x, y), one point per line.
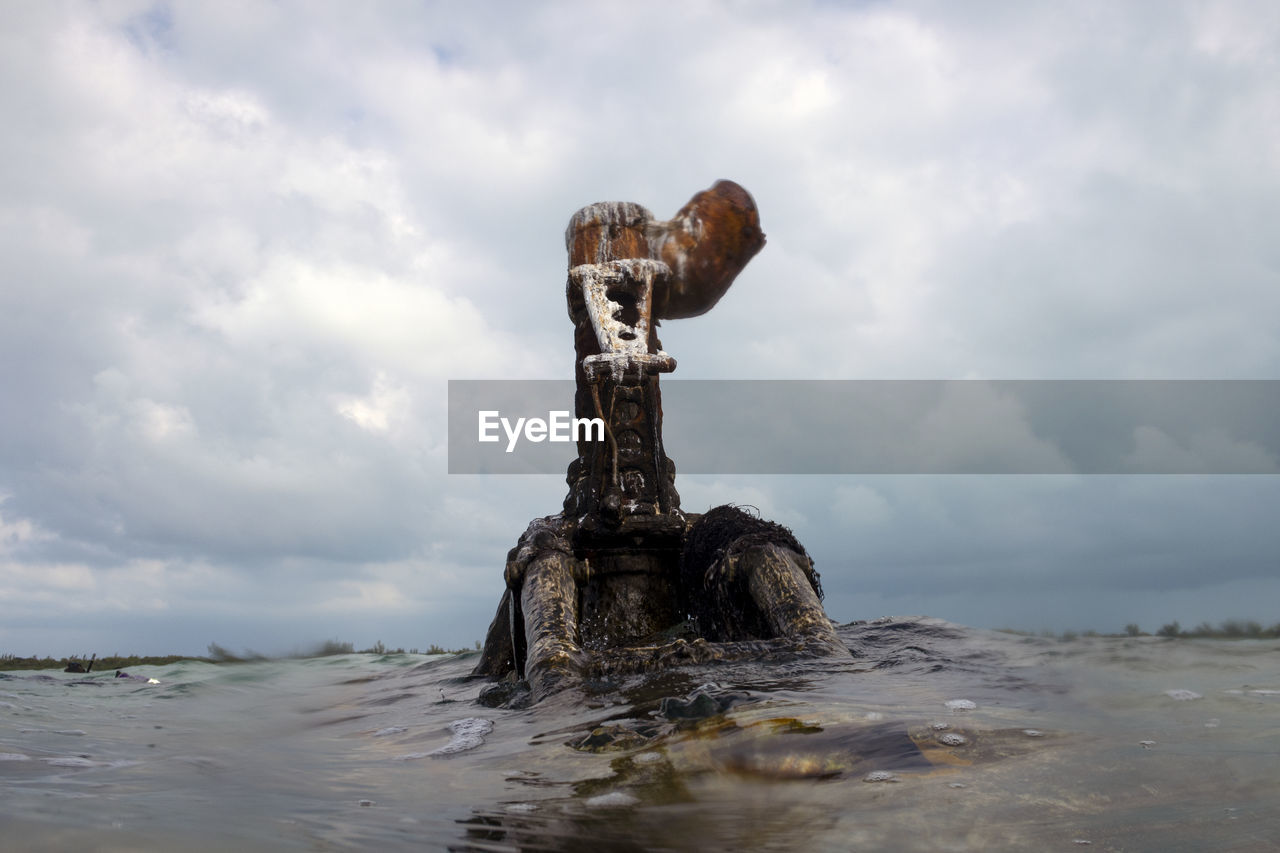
(623, 580)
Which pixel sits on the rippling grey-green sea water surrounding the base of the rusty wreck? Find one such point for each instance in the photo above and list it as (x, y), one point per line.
(930, 737)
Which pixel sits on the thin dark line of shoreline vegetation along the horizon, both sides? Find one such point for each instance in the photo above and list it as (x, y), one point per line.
(1229, 630)
